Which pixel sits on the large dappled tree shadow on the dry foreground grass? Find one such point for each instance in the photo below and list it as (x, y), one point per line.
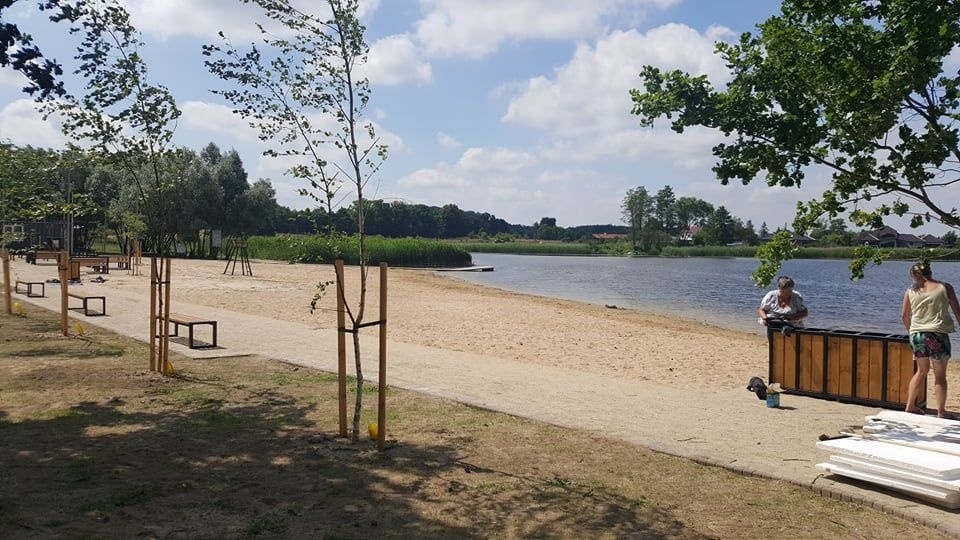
(263, 469)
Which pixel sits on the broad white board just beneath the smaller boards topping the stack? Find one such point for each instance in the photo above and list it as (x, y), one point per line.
(943, 466)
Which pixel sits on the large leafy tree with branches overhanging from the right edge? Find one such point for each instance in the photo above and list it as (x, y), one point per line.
(856, 87)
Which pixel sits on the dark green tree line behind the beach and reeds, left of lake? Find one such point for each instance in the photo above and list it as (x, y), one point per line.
(214, 192)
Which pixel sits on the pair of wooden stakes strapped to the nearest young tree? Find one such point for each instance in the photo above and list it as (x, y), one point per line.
(342, 332)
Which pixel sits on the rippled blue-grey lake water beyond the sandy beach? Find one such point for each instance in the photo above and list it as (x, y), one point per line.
(715, 290)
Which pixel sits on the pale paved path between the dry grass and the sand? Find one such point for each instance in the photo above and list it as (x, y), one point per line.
(728, 428)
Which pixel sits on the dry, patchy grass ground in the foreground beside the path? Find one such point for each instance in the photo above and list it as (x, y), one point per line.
(94, 445)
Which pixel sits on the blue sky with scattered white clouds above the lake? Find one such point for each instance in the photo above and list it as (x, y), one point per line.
(519, 108)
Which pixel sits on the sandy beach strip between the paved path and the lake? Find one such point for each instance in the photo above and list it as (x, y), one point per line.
(438, 310)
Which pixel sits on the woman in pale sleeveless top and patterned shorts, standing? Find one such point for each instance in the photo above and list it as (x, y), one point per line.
(926, 316)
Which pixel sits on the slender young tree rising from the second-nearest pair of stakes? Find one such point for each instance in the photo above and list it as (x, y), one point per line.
(126, 121)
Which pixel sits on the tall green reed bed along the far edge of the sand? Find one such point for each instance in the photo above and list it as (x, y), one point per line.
(414, 252)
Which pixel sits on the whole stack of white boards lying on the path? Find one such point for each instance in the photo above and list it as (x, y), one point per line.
(915, 454)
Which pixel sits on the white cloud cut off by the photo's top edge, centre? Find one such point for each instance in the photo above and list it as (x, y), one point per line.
(476, 29)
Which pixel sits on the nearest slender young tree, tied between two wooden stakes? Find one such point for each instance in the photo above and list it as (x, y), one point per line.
(304, 95)
